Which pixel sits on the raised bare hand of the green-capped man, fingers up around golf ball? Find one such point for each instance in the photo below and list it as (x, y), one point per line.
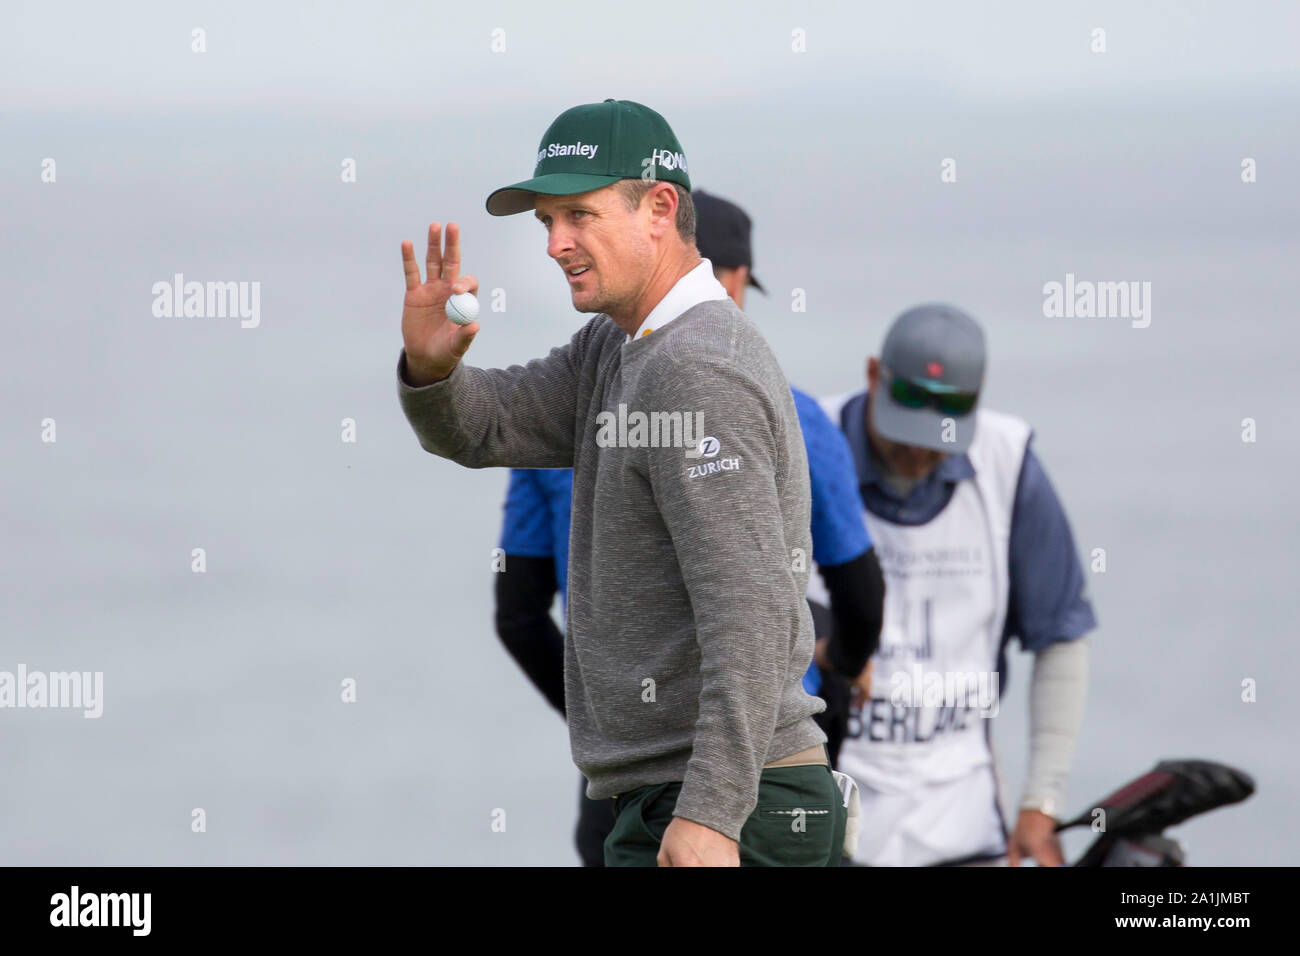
(434, 343)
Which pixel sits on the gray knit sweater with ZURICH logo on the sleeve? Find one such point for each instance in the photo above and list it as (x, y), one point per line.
(688, 633)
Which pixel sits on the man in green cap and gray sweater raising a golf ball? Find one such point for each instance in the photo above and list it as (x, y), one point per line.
(688, 633)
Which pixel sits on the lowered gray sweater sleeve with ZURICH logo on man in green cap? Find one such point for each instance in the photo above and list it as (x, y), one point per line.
(727, 531)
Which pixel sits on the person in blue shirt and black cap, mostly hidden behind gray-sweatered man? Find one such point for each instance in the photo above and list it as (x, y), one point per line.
(535, 540)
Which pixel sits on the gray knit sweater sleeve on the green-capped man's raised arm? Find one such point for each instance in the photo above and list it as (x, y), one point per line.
(521, 417)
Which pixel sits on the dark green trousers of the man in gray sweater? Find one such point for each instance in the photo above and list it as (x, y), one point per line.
(799, 821)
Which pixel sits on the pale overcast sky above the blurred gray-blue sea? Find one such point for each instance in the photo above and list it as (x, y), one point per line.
(421, 58)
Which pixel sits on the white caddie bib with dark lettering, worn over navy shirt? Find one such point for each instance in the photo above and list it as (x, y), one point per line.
(935, 674)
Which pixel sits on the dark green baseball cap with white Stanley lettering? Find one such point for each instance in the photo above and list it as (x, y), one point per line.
(592, 146)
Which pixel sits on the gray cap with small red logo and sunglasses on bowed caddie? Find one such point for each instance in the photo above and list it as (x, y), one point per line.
(933, 367)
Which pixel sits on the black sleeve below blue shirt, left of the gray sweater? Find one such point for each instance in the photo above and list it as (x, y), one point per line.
(525, 592)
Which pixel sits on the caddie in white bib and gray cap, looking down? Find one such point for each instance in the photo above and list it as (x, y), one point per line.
(976, 550)
